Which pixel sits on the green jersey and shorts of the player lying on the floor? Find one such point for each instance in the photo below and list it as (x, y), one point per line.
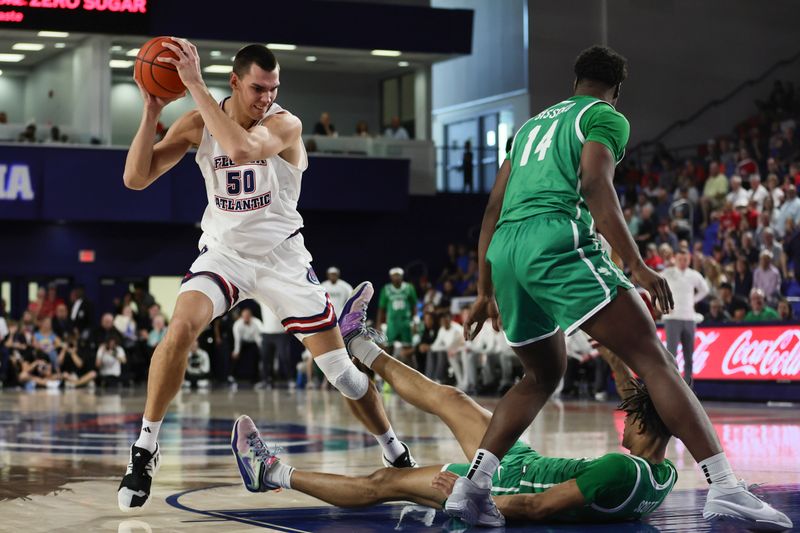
(616, 486)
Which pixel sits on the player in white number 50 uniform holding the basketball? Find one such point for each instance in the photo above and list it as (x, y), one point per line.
(252, 157)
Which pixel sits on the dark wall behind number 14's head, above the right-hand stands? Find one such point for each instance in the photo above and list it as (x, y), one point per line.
(682, 54)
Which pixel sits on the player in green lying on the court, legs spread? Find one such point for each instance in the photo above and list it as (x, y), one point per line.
(527, 486)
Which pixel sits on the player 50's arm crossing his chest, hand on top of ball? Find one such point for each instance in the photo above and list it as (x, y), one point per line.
(275, 135)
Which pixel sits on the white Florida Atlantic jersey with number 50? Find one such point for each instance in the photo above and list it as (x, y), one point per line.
(252, 207)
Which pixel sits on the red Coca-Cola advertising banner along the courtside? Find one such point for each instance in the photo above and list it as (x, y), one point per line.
(767, 353)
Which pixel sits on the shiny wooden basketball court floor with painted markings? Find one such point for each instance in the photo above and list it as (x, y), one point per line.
(62, 455)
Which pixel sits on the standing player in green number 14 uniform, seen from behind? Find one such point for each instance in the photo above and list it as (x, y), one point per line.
(540, 260)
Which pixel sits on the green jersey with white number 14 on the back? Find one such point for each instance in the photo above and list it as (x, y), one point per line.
(546, 153)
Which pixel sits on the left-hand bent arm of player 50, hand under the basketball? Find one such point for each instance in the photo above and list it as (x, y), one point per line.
(146, 162)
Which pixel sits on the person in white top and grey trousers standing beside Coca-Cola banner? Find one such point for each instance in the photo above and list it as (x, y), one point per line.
(688, 288)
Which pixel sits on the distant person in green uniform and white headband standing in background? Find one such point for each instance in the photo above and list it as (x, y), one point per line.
(396, 308)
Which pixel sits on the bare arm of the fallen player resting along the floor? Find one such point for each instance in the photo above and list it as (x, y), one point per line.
(539, 506)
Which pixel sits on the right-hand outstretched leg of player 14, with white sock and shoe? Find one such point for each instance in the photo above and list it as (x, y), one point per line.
(681, 411)
